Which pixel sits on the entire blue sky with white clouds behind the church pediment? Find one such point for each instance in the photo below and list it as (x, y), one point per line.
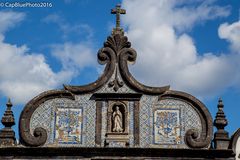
(192, 45)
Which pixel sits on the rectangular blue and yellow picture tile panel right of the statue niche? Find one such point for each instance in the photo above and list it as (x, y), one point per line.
(167, 126)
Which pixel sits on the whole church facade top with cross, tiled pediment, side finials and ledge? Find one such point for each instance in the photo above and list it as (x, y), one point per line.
(117, 117)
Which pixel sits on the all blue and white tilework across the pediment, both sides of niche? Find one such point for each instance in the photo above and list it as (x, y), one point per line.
(163, 124)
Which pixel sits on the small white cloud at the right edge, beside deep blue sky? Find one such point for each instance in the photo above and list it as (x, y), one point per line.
(231, 32)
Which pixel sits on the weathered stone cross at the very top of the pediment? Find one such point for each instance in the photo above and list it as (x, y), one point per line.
(118, 11)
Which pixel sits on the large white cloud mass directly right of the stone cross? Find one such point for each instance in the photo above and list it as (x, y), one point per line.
(168, 55)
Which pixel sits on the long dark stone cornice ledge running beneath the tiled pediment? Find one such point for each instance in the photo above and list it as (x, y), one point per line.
(114, 153)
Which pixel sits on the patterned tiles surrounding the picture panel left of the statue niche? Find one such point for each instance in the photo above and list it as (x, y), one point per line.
(44, 117)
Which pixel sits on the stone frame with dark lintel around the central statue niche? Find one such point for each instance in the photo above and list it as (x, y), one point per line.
(112, 99)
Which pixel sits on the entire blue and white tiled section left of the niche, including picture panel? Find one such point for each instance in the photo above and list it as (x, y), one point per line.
(68, 123)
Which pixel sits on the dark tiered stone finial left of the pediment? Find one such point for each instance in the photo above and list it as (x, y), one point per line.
(7, 135)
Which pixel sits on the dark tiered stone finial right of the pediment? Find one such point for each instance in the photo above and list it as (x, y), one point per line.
(221, 139)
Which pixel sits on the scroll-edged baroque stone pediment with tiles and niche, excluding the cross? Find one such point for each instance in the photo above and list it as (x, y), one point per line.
(82, 116)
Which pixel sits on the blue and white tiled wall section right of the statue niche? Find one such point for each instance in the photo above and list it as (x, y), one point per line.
(188, 119)
